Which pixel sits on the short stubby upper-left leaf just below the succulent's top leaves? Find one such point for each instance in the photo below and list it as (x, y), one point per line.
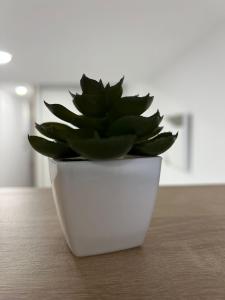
(90, 105)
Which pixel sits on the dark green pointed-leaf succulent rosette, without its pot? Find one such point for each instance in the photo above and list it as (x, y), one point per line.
(110, 126)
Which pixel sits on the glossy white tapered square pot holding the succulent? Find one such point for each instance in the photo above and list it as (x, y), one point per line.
(105, 206)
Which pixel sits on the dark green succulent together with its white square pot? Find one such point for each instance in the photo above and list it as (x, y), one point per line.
(105, 172)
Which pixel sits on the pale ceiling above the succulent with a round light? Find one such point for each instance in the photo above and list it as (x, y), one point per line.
(55, 41)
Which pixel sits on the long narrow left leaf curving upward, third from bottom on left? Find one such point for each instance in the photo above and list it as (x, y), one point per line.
(79, 121)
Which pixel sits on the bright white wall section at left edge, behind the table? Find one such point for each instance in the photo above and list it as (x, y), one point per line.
(15, 154)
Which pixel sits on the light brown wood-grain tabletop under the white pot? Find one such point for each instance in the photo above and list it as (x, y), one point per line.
(183, 256)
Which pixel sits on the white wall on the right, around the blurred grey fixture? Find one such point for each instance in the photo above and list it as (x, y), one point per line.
(196, 84)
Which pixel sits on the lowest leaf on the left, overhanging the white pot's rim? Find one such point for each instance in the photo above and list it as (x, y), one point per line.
(51, 149)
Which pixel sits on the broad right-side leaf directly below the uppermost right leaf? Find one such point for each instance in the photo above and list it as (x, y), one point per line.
(138, 125)
